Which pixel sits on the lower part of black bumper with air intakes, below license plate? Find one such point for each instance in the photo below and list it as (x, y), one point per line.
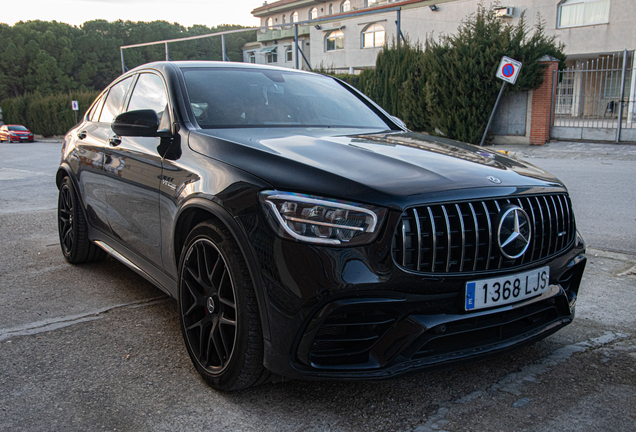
(390, 334)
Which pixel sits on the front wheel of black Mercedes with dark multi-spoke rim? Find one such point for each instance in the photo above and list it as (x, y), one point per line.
(218, 311)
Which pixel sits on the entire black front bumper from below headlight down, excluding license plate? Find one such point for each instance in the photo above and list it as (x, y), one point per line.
(354, 314)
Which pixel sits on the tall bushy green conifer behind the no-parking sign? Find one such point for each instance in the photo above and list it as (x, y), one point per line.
(461, 88)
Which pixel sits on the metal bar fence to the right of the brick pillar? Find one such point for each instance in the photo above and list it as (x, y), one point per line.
(595, 94)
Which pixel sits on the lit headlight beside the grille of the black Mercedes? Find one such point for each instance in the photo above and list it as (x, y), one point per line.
(319, 220)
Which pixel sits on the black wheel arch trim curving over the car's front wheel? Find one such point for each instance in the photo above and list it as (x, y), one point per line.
(197, 210)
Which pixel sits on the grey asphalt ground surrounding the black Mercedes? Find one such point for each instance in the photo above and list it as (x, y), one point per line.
(96, 347)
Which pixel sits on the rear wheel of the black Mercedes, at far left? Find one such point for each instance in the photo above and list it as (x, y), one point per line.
(73, 229)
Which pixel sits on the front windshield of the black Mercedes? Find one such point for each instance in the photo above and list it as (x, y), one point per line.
(231, 98)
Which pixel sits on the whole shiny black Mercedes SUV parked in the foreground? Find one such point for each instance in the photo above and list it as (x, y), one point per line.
(306, 233)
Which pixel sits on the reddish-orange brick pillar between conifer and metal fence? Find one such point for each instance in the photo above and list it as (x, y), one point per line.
(542, 103)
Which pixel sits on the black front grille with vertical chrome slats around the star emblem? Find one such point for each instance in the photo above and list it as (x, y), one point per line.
(462, 237)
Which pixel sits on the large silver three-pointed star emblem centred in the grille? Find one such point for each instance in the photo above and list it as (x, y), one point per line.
(514, 232)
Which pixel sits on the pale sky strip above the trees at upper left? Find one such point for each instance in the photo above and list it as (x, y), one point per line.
(185, 12)
